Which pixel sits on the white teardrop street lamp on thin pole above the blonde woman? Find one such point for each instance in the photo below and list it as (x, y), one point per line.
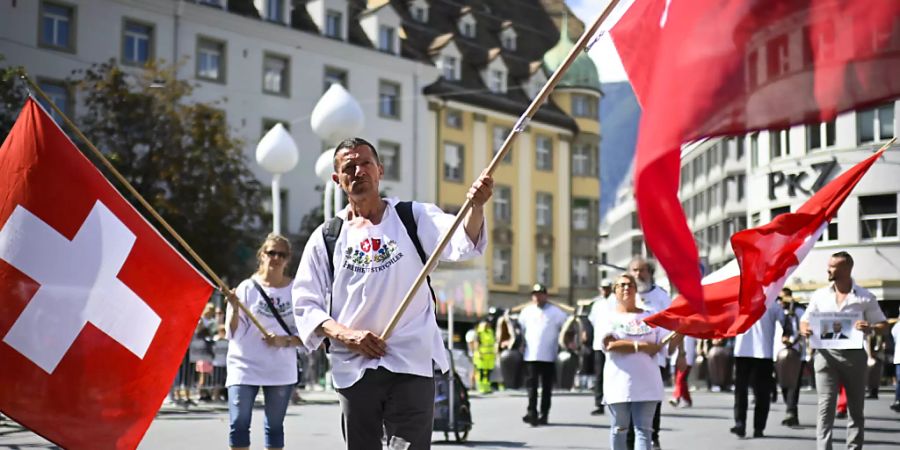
(277, 153)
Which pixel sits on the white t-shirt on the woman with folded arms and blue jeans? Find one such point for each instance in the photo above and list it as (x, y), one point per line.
(630, 377)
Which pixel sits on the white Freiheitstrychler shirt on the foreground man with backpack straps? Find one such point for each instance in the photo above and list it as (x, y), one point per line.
(374, 267)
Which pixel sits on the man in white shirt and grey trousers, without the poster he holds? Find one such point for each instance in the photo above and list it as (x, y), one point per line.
(842, 367)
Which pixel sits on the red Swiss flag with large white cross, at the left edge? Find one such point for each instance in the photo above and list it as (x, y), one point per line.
(97, 308)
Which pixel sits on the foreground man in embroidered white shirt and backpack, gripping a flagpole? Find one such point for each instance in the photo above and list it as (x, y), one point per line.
(350, 296)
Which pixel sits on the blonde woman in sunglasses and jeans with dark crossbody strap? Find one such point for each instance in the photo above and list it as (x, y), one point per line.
(255, 360)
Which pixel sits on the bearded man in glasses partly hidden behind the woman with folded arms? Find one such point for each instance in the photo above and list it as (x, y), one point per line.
(653, 299)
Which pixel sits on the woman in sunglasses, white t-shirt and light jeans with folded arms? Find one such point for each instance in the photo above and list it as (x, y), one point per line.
(632, 384)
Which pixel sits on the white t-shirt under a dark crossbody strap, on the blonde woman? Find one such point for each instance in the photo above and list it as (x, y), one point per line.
(250, 360)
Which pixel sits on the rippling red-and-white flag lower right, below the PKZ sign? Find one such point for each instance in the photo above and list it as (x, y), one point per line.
(737, 295)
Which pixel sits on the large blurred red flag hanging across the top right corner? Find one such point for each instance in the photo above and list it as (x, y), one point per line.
(710, 67)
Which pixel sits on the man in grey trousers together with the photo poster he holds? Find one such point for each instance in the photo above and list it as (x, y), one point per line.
(836, 360)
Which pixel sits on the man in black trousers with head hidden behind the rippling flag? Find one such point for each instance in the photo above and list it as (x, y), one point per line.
(754, 367)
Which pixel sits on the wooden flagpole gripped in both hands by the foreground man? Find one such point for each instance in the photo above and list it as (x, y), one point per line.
(507, 144)
